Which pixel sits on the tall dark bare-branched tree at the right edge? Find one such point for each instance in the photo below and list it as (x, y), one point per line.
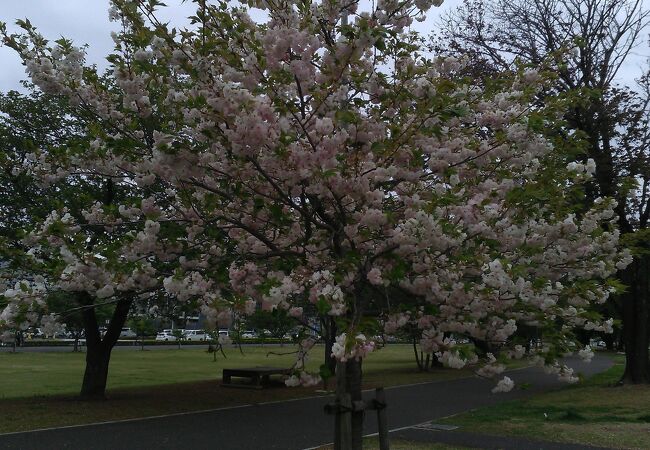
(587, 41)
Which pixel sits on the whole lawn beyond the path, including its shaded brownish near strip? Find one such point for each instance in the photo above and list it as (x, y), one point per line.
(38, 390)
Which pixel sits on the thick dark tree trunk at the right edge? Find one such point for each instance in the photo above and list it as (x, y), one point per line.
(636, 334)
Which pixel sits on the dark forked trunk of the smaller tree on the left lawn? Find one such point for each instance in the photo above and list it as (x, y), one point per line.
(98, 349)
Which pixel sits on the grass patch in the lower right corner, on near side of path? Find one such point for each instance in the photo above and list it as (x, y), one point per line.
(594, 412)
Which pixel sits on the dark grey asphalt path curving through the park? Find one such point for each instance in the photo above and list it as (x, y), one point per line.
(287, 425)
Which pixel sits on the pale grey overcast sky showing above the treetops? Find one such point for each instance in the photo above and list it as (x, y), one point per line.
(86, 22)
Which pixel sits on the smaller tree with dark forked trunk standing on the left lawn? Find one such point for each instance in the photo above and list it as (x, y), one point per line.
(42, 241)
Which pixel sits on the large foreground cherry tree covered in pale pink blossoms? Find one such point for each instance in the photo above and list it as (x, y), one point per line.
(319, 154)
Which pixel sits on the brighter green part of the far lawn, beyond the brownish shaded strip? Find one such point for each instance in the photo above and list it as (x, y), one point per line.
(60, 373)
